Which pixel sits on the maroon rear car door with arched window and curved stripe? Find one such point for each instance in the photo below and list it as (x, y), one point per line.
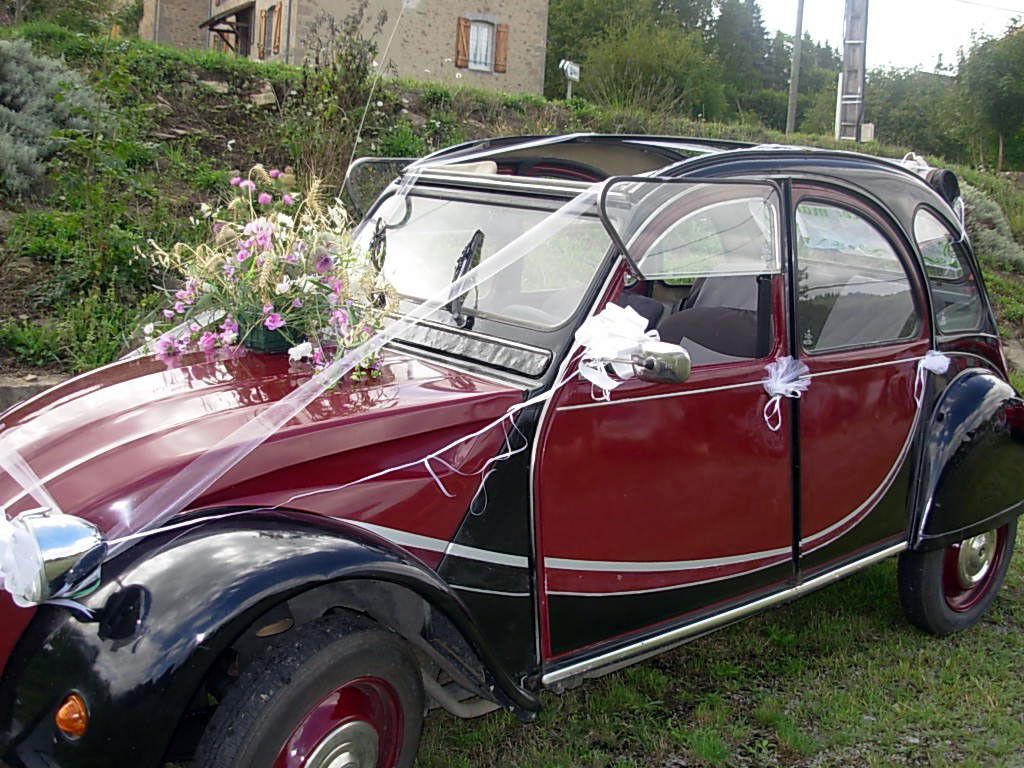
(862, 328)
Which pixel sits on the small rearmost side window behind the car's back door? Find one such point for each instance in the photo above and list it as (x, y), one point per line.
(956, 298)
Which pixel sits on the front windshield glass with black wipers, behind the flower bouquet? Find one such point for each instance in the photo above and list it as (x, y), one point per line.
(542, 290)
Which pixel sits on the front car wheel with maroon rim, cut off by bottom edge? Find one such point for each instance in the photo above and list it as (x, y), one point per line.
(339, 687)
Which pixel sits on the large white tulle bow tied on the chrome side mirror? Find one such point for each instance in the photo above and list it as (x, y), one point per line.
(609, 339)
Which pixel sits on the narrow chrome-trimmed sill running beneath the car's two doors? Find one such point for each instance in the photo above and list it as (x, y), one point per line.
(666, 642)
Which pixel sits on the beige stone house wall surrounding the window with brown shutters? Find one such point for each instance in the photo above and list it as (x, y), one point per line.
(424, 47)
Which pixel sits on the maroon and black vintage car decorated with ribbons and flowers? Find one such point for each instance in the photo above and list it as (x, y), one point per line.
(603, 528)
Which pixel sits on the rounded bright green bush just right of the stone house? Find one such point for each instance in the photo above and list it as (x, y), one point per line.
(655, 69)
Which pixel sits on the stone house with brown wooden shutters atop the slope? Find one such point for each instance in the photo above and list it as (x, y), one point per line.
(494, 45)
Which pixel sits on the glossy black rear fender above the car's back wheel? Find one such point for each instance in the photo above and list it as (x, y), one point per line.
(970, 480)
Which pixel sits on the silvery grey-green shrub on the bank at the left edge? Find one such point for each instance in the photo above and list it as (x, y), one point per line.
(40, 100)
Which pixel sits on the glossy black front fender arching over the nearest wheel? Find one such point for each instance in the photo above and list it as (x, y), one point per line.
(172, 606)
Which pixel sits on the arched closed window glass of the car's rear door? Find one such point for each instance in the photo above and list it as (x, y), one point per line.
(852, 287)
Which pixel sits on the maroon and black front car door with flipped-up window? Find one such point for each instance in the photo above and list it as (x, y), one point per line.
(666, 502)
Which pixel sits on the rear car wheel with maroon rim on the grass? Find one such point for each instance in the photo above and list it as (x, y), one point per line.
(949, 590)
